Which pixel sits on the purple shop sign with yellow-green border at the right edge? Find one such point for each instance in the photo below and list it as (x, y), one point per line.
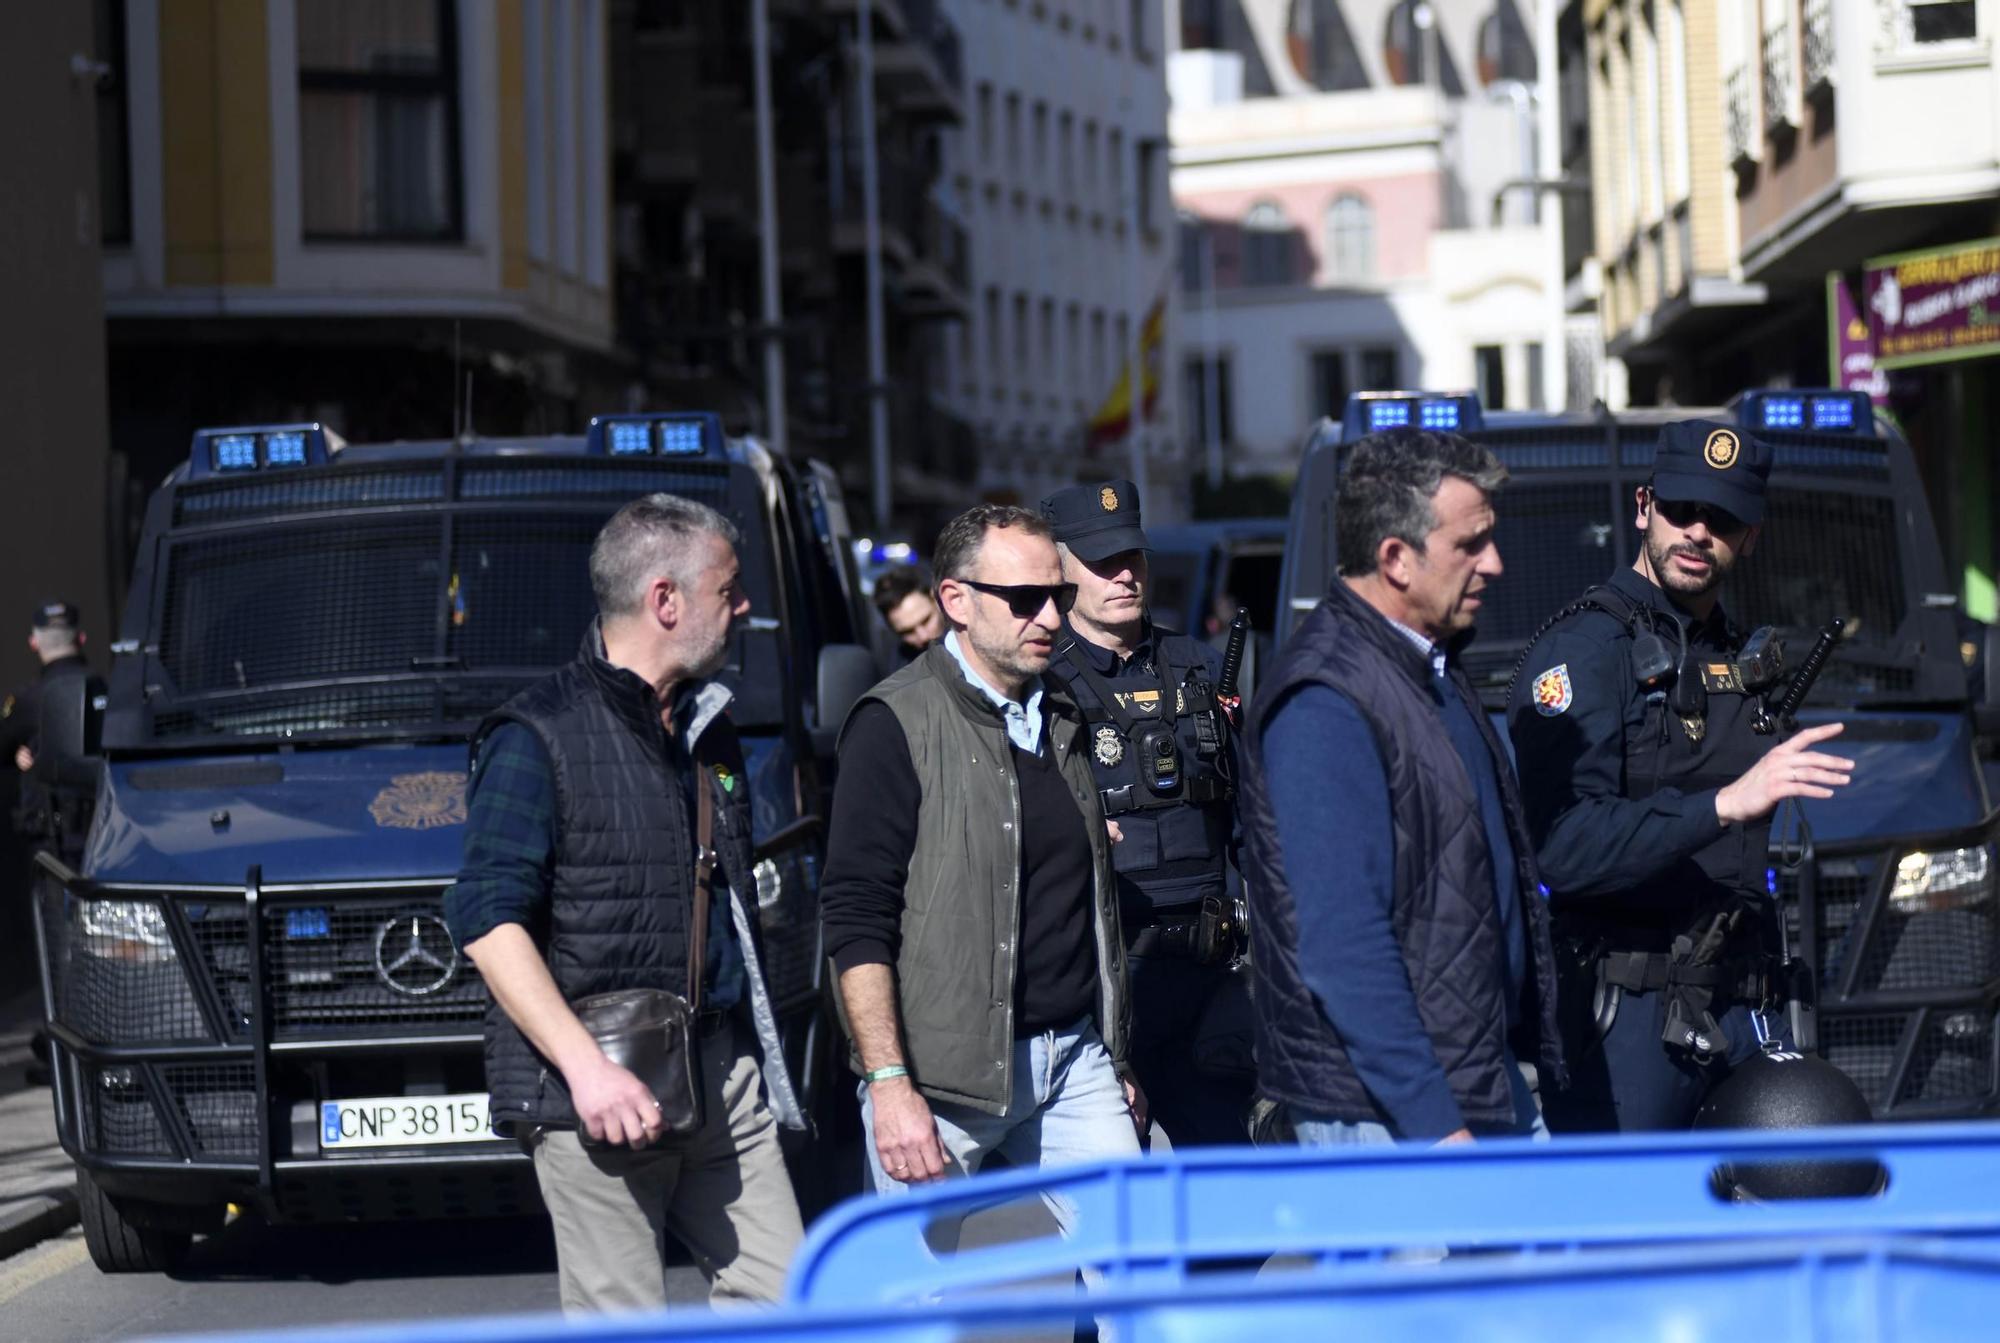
(1933, 307)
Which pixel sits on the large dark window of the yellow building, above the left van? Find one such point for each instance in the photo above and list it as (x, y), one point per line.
(379, 119)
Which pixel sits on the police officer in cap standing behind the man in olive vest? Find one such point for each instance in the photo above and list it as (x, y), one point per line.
(1161, 754)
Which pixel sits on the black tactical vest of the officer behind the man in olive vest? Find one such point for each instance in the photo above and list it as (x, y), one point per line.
(1177, 838)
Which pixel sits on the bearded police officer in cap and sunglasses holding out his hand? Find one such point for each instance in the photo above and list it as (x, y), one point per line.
(1651, 792)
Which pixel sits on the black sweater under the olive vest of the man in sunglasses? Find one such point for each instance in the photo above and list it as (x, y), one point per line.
(869, 858)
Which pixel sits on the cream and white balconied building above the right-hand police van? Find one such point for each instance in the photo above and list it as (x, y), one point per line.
(1757, 167)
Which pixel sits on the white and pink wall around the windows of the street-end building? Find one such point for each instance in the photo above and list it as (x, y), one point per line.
(1449, 281)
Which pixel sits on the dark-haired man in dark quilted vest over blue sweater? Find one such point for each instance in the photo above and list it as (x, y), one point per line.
(1403, 960)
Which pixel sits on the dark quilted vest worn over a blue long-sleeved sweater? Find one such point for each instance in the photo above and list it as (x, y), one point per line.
(1443, 906)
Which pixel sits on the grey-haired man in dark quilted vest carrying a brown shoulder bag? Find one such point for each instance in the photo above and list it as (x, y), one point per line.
(581, 878)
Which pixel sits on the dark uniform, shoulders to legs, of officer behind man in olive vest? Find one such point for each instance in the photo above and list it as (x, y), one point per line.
(1173, 856)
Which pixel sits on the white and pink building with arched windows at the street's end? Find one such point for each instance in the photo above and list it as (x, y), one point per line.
(1361, 209)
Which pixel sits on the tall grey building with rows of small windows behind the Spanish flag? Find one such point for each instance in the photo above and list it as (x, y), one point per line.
(1045, 175)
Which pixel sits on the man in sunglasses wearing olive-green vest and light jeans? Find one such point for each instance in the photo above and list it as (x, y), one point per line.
(971, 906)
